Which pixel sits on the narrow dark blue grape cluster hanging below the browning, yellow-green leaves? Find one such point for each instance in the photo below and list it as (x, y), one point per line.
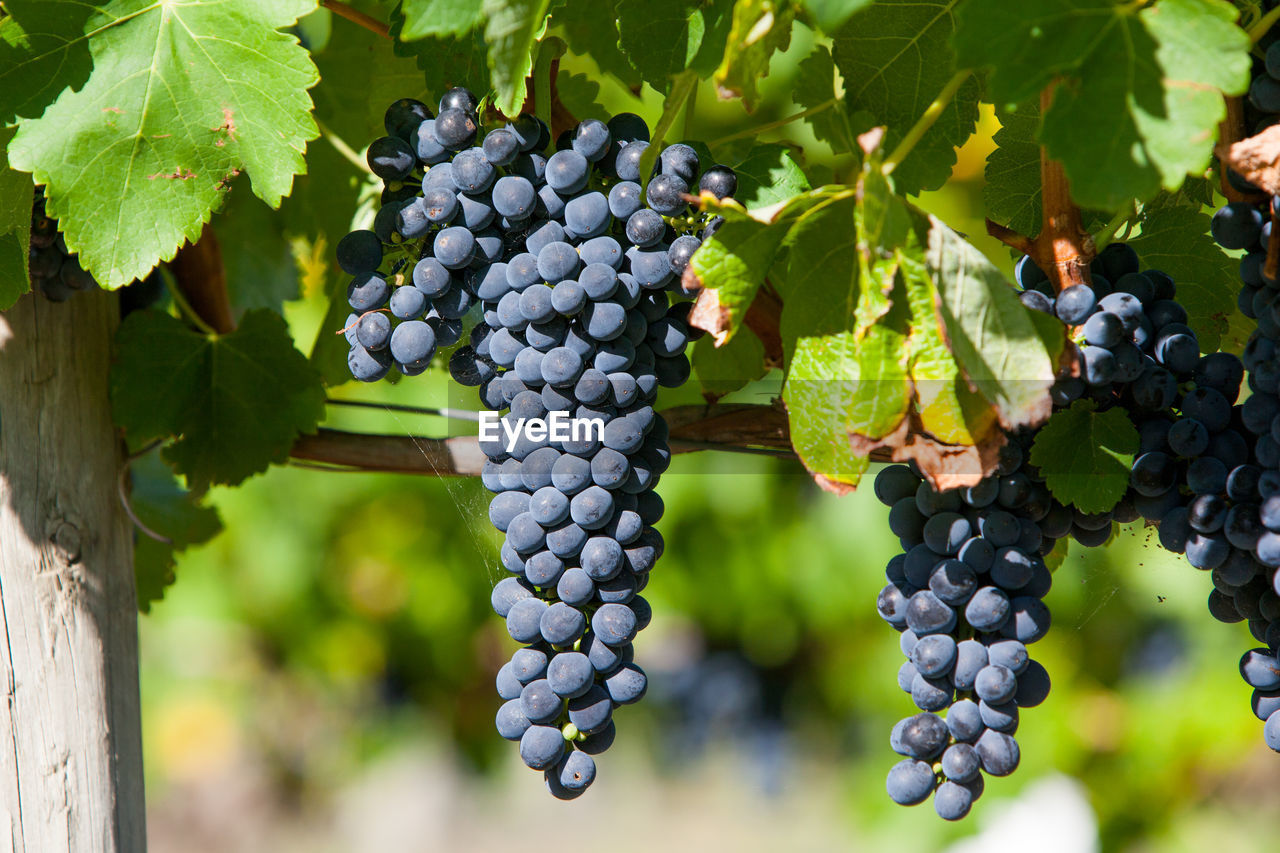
(966, 596)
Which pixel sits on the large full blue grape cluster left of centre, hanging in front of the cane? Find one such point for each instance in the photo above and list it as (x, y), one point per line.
(566, 262)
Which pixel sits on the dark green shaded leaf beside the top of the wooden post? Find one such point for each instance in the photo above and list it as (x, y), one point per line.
(232, 403)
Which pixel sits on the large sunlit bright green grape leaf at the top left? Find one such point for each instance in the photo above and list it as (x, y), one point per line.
(184, 98)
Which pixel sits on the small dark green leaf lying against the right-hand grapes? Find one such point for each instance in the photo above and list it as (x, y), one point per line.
(1085, 455)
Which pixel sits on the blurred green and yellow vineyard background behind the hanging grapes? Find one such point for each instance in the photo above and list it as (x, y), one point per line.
(321, 678)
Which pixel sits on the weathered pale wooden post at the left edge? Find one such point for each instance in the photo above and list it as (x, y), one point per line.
(71, 749)
